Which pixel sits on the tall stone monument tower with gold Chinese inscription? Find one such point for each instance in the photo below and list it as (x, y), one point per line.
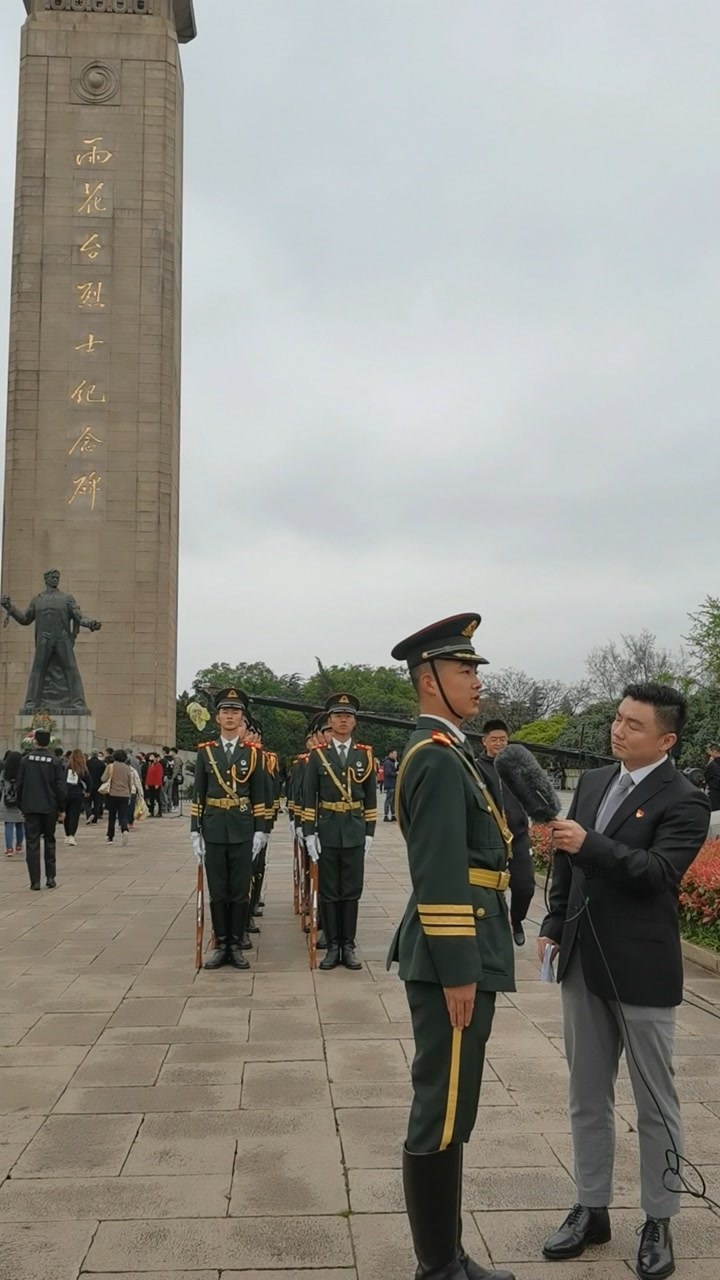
(93, 445)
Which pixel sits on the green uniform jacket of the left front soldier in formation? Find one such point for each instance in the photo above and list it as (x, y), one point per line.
(229, 802)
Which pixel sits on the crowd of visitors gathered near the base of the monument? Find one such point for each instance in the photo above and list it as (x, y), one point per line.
(121, 787)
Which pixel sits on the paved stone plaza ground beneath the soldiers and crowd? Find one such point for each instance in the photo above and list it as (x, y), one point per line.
(167, 1126)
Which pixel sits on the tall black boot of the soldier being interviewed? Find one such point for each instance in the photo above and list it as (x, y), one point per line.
(431, 1185)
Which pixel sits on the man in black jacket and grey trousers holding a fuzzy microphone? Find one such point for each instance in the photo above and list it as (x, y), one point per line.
(619, 860)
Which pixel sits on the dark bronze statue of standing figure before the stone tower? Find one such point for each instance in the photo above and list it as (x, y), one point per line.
(54, 683)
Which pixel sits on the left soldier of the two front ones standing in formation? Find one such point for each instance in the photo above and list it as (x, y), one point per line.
(229, 828)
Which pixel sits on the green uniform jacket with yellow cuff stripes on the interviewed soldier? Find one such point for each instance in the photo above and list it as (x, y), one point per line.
(455, 929)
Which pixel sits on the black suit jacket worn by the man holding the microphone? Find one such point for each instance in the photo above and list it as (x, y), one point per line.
(630, 877)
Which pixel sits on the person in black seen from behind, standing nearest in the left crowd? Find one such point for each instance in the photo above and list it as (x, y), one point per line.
(42, 798)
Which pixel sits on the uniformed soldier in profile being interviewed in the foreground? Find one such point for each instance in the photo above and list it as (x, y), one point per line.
(454, 945)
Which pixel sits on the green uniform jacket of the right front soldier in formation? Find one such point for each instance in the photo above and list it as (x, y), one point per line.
(340, 804)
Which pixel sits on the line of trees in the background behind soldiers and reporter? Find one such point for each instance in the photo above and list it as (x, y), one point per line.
(548, 712)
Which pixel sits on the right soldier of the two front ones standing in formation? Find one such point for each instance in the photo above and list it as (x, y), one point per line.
(339, 821)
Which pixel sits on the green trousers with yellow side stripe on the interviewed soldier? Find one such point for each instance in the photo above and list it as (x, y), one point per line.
(448, 1068)
